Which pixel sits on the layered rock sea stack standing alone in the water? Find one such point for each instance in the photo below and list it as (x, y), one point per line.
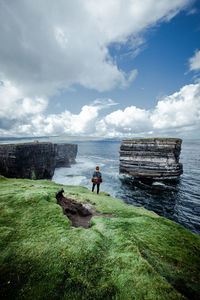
(151, 158)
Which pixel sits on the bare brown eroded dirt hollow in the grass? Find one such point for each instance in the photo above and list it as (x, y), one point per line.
(79, 214)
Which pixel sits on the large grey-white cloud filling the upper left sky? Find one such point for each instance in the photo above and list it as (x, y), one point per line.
(52, 44)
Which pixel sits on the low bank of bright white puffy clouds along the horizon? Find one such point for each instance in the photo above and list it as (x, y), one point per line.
(176, 114)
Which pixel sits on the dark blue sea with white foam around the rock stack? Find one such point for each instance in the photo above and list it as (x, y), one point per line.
(176, 199)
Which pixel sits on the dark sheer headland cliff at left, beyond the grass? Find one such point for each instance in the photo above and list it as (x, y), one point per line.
(35, 160)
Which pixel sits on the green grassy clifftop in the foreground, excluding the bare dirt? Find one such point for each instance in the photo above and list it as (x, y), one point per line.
(137, 255)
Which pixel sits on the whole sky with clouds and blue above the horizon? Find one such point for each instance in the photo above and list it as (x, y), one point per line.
(109, 68)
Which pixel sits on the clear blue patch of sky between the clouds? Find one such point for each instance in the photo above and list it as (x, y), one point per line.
(162, 65)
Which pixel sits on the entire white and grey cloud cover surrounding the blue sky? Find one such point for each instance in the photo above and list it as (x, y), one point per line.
(51, 45)
